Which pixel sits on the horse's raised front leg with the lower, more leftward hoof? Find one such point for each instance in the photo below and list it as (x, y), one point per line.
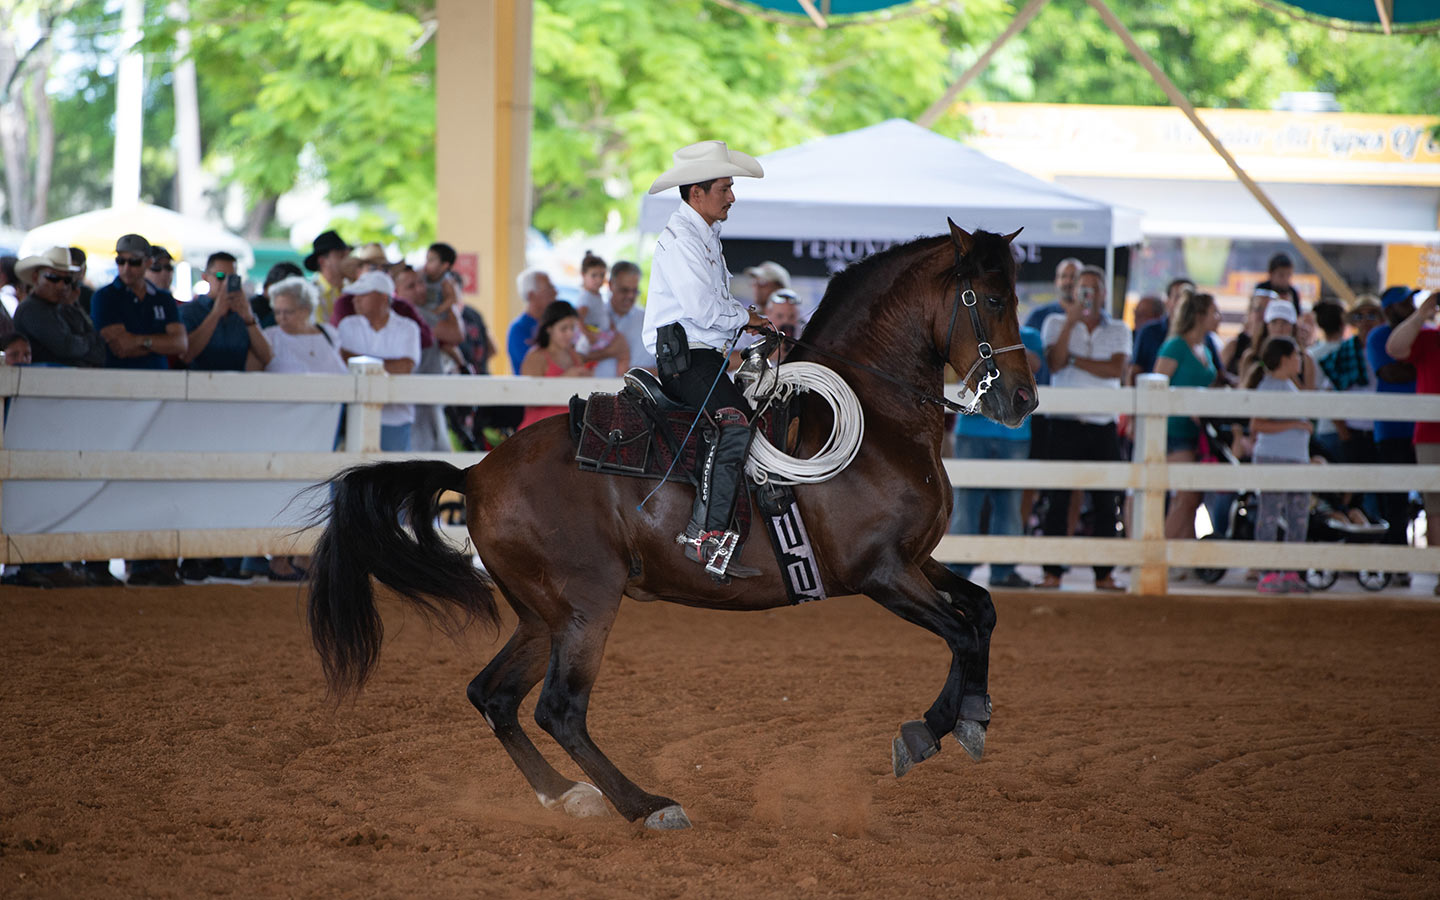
(911, 595)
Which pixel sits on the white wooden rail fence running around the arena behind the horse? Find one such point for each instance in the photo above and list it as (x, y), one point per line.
(1148, 477)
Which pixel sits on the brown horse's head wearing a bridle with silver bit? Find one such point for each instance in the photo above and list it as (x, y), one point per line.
(981, 297)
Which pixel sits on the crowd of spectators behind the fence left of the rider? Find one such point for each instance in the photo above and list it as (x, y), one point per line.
(356, 302)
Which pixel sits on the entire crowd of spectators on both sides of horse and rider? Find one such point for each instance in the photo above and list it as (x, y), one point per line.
(359, 302)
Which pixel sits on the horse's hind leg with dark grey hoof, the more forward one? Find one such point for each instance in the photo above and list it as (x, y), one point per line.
(575, 660)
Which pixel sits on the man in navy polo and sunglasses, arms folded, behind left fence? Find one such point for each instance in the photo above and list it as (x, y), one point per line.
(139, 323)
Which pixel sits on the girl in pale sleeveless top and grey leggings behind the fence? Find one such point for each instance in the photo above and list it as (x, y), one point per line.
(1281, 441)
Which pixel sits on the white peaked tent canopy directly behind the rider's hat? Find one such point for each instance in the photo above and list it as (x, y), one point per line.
(898, 181)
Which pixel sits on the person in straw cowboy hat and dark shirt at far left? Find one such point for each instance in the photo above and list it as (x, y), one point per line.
(60, 333)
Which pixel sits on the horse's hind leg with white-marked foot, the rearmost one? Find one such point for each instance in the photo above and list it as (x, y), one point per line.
(498, 693)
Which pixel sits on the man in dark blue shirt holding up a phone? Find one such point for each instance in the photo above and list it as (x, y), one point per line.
(222, 330)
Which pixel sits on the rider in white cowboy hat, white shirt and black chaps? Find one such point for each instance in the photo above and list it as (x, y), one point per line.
(690, 318)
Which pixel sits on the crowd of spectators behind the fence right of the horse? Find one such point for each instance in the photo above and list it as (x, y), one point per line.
(1385, 345)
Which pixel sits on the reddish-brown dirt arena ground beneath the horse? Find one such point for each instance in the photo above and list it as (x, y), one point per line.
(175, 744)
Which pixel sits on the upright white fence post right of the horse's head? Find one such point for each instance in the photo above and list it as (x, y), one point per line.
(1151, 408)
